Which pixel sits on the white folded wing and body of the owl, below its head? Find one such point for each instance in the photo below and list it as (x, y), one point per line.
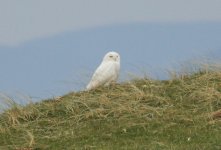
(102, 75)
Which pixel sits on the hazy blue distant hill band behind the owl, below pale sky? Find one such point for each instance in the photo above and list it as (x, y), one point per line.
(53, 66)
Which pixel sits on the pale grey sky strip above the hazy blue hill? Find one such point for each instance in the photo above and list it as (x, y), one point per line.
(24, 20)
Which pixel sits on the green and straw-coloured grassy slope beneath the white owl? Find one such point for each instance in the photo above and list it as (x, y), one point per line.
(181, 113)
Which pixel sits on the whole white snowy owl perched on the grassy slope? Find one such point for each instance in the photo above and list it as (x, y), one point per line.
(107, 72)
